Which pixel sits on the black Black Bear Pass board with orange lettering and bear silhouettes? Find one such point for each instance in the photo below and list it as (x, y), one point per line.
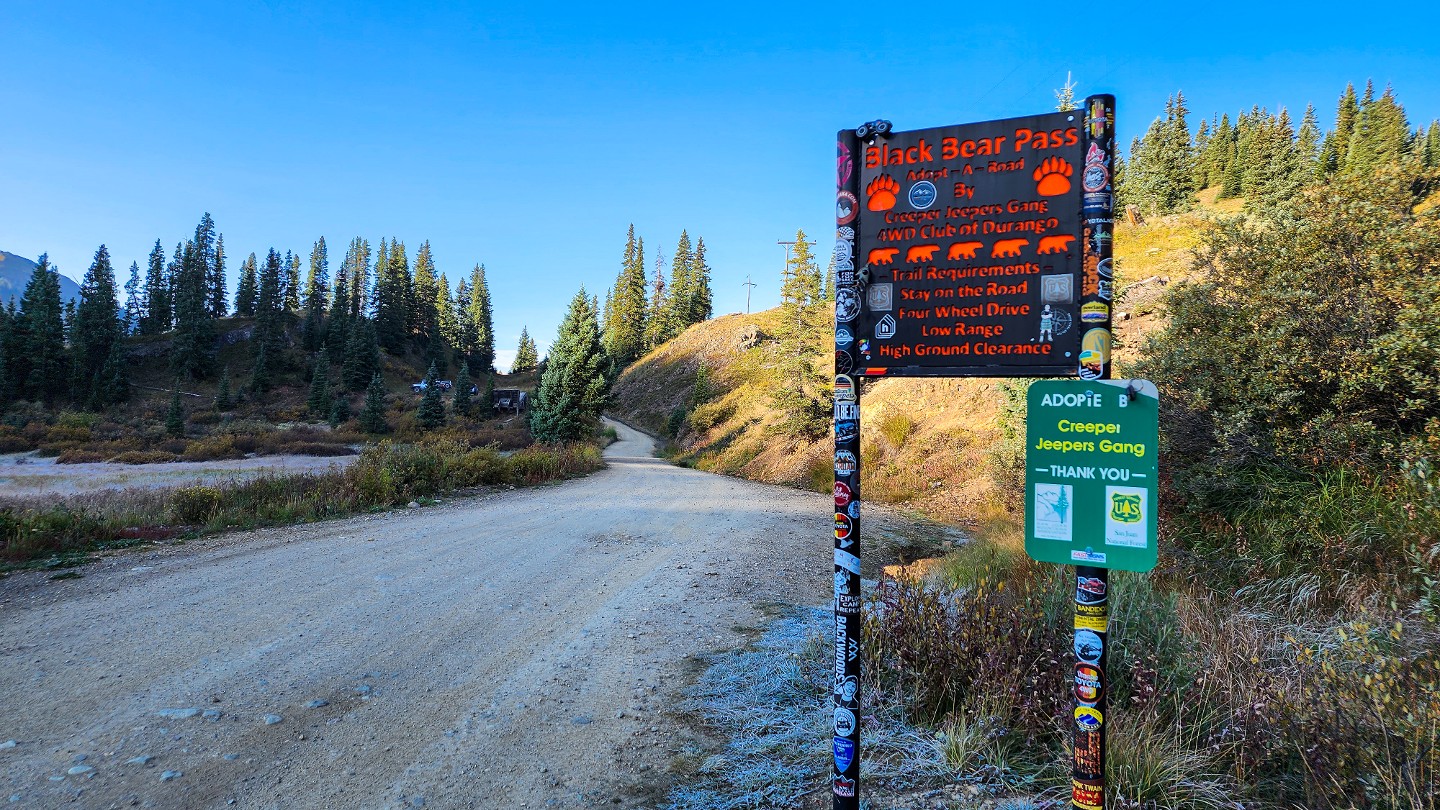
(984, 250)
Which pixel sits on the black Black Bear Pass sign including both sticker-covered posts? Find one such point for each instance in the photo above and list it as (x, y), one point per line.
(973, 250)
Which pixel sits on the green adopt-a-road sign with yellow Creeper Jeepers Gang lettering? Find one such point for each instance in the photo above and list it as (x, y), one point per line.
(1091, 473)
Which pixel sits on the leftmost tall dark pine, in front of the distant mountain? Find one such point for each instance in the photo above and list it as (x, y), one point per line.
(40, 367)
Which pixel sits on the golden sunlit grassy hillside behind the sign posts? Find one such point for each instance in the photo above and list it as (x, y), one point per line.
(931, 445)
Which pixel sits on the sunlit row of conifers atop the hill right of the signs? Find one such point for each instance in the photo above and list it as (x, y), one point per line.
(1264, 156)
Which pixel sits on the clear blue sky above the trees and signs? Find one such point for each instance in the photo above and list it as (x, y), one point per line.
(529, 138)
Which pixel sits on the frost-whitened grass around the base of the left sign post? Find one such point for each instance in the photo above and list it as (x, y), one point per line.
(773, 704)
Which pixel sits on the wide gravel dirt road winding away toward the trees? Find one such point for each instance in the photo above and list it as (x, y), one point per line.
(525, 649)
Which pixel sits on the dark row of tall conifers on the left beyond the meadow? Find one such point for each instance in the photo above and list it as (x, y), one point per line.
(377, 302)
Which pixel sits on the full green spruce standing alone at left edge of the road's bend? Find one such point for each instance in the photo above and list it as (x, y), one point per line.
(574, 388)
